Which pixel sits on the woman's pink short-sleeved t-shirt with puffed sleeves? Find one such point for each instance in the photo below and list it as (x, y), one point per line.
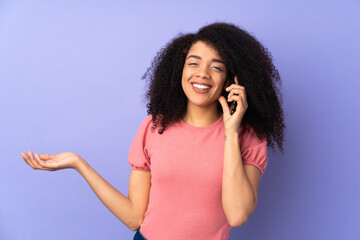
(186, 164)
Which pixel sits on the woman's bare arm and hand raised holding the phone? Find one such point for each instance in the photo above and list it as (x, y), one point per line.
(239, 182)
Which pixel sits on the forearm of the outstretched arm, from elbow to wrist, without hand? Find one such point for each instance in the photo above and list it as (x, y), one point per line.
(120, 205)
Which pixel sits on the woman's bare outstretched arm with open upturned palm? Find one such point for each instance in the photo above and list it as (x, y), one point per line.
(130, 210)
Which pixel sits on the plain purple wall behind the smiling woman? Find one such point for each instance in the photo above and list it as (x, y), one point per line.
(70, 81)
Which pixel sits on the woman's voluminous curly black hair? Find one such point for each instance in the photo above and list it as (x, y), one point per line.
(244, 56)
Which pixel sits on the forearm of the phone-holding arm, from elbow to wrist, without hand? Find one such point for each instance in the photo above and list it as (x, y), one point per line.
(238, 197)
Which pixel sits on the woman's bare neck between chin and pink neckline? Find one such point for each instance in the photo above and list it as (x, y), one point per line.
(201, 117)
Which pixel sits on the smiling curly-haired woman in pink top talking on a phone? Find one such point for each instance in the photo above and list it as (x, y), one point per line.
(198, 157)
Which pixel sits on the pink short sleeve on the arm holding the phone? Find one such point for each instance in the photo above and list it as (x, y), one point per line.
(253, 150)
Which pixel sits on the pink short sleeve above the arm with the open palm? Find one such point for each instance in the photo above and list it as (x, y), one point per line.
(138, 156)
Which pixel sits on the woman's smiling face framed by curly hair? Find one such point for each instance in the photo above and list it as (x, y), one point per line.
(203, 76)
